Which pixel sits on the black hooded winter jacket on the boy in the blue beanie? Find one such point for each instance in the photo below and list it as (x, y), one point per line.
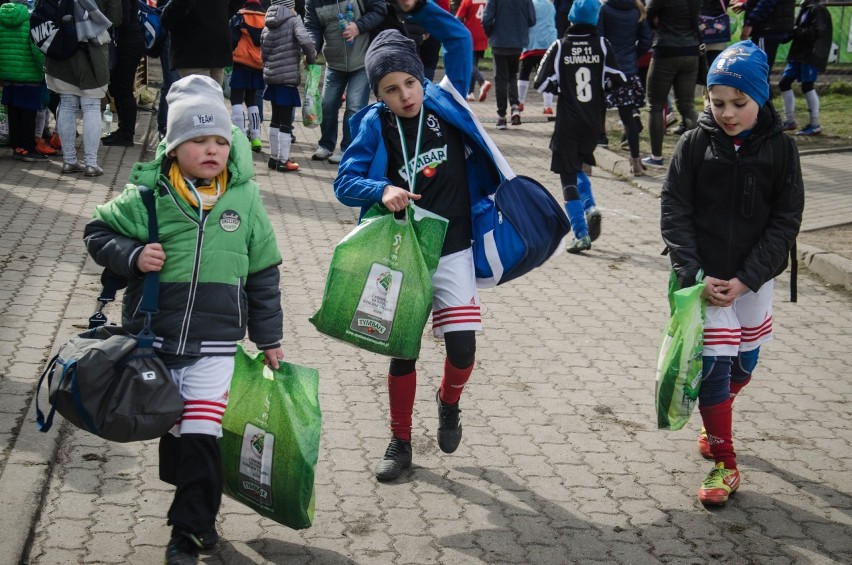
(732, 213)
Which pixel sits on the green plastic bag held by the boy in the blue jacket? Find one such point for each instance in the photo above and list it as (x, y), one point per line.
(378, 293)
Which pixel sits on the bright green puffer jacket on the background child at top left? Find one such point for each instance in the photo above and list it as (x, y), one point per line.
(20, 60)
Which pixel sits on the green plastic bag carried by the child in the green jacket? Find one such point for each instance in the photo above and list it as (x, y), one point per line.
(270, 439)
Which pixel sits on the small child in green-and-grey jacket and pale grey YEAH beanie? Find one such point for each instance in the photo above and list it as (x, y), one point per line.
(219, 275)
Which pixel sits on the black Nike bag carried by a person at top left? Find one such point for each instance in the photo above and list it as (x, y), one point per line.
(52, 29)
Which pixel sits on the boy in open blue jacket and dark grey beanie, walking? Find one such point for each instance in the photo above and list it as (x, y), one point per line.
(458, 165)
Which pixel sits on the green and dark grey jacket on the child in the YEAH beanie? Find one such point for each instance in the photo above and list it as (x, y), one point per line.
(221, 273)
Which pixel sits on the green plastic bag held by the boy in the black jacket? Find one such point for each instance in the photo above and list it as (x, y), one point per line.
(679, 363)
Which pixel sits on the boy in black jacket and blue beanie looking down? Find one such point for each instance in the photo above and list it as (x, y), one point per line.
(731, 209)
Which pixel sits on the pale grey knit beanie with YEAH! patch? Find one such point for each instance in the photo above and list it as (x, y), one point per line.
(196, 109)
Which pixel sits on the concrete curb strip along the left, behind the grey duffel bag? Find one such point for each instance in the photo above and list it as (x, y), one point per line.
(27, 471)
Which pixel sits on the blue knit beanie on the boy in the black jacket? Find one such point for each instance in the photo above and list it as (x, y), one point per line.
(742, 66)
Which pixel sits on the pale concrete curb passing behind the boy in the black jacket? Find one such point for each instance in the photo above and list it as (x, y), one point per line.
(832, 268)
